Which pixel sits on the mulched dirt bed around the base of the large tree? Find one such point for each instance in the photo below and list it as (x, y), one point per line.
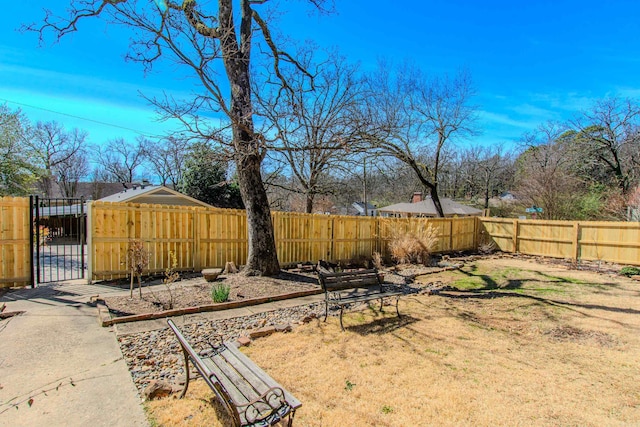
(197, 292)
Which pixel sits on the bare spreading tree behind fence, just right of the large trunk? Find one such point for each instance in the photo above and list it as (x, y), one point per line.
(312, 124)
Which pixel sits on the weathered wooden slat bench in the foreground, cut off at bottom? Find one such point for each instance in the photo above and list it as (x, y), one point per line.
(249, 395)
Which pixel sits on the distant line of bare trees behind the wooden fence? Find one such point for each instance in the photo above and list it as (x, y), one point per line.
(325, 156)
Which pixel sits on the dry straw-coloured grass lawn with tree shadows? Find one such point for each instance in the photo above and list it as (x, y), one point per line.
(519, 344)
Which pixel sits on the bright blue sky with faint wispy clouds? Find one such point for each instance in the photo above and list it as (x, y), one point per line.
(530, 61)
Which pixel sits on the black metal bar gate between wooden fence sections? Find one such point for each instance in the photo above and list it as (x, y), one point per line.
(57, 239)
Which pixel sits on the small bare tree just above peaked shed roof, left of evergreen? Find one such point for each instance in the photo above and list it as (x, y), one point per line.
(120, 159)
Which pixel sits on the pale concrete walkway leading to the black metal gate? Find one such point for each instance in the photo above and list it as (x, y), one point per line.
(56, 356)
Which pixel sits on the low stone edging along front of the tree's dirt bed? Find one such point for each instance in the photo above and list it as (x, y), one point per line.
(105, 318)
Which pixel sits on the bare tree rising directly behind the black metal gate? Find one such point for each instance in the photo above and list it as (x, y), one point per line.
(54, 149)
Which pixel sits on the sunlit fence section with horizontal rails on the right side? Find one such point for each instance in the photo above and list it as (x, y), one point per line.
(617, 242)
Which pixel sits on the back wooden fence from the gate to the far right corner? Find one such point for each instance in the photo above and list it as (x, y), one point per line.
(203, 238)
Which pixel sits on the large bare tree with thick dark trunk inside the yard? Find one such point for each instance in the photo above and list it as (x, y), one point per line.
(213, 42)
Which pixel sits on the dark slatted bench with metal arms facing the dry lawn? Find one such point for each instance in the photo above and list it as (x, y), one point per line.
(350, 287)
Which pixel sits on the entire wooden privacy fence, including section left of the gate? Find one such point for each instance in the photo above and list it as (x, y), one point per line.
(202, 238)
